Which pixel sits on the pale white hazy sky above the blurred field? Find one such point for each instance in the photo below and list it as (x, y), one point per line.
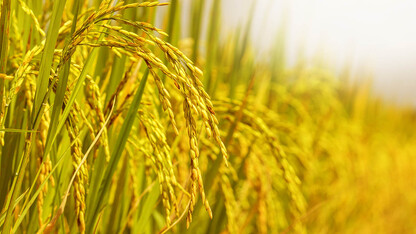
(374, 35)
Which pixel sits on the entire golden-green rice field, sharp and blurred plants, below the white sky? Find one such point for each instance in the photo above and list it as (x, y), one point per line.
(109, 124)
